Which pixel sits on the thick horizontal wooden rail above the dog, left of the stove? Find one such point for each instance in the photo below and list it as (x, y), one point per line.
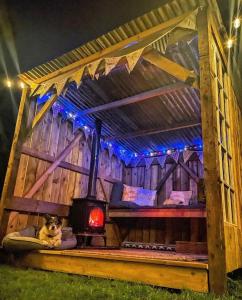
(28, 205)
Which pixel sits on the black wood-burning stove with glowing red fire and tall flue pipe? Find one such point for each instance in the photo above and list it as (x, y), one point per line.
(87, 215)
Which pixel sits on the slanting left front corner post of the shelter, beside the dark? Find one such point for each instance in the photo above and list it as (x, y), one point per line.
(11, 173)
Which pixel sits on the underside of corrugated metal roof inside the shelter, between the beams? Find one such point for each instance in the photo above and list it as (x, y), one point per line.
(176, 107)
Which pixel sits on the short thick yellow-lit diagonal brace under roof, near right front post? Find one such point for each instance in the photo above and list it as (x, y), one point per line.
(171, 67)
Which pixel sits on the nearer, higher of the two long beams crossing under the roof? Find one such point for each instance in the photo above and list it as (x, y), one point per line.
(135, 99)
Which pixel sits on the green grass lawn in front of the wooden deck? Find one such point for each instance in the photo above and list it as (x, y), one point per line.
(27, 284)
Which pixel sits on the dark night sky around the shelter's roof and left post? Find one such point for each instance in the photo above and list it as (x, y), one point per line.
(33, 32)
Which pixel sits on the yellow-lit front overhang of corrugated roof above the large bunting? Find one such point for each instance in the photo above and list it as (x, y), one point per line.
(166, 12)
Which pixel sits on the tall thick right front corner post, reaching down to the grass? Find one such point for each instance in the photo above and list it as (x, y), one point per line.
(215, 218)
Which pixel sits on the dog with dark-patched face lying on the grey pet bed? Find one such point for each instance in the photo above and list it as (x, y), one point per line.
(51, 233)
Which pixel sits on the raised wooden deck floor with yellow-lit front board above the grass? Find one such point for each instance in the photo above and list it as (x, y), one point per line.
(166, 269)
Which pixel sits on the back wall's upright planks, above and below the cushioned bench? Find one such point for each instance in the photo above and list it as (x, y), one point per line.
(169, 230)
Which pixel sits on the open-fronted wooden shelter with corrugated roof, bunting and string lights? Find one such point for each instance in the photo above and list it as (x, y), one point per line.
(162, 87)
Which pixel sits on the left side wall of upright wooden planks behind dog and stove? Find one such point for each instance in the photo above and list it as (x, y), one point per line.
(50, 137)
